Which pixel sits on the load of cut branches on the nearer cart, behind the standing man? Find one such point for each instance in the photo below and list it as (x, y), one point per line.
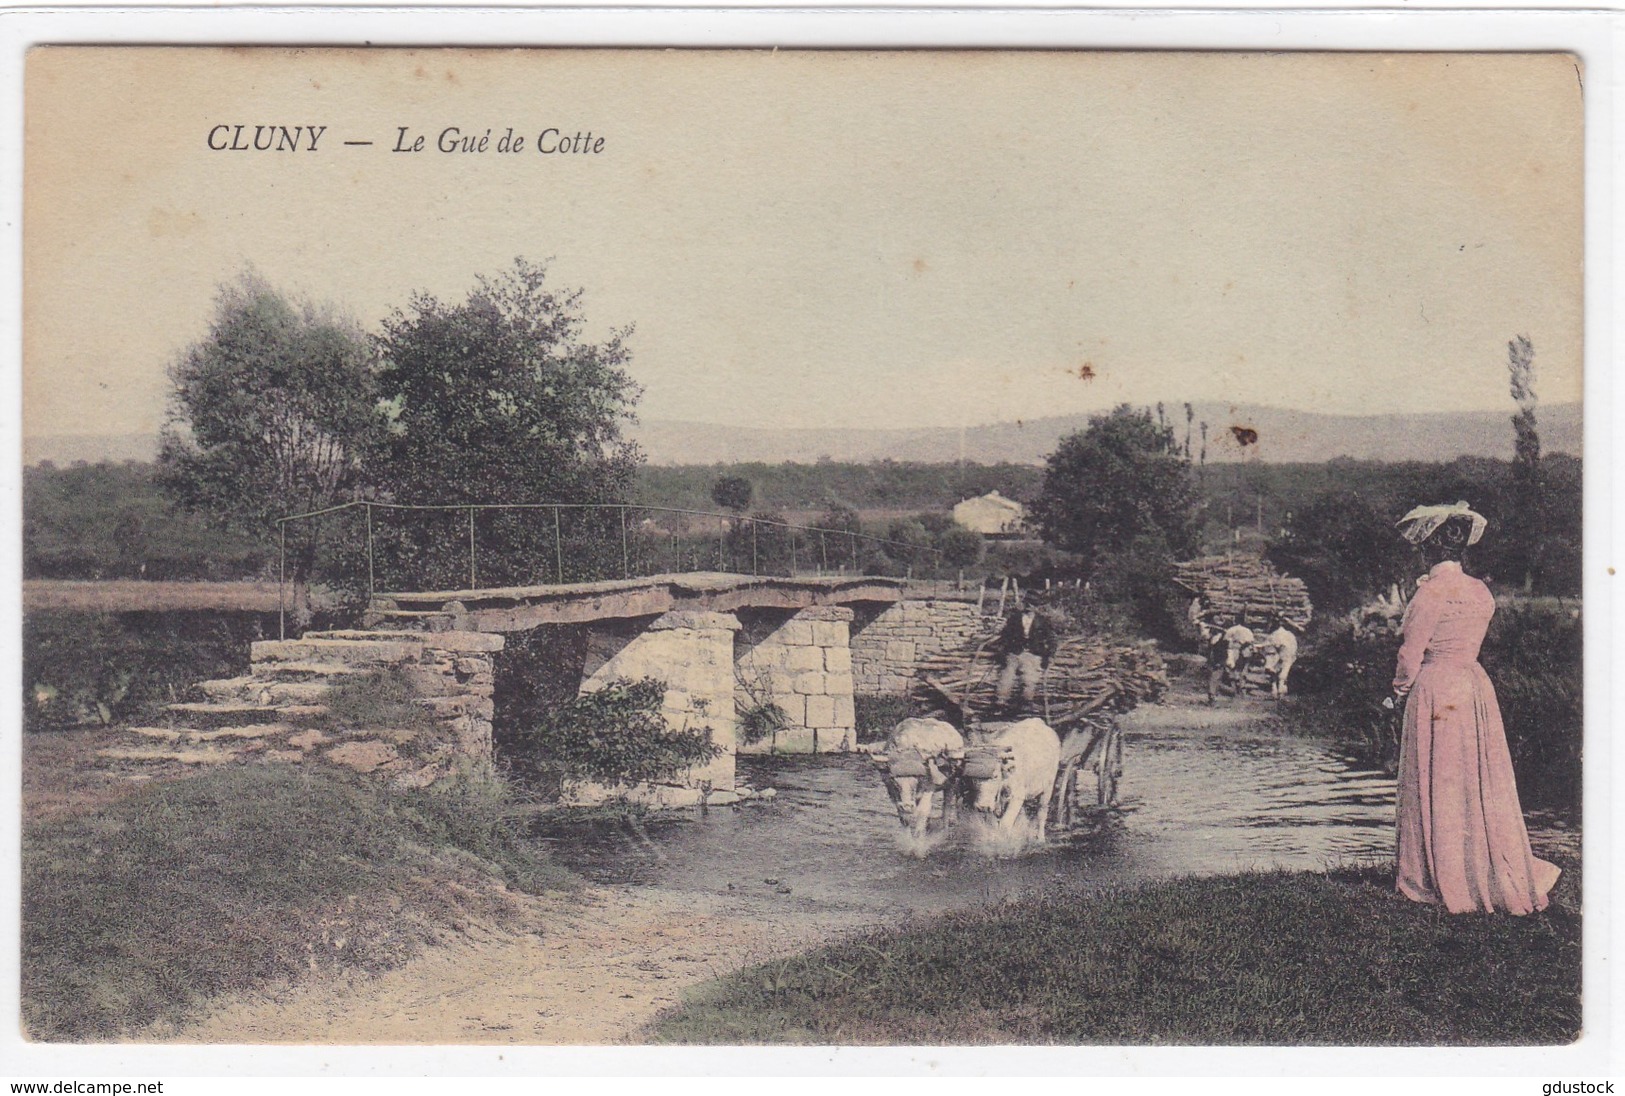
(1088, 681)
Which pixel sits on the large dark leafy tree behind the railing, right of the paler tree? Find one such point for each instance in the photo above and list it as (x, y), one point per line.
(500, 399)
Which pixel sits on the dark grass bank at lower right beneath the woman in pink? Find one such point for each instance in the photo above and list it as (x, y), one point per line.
(1267, 959)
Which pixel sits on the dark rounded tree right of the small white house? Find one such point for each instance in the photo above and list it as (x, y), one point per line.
(1116, 484)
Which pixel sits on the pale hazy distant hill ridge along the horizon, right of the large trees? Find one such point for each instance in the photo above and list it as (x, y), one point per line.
(1281, 437)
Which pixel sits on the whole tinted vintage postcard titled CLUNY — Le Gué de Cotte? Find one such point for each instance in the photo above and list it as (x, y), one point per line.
(784, 547)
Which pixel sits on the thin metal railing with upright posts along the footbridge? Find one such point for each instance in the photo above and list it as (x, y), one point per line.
(371, 546)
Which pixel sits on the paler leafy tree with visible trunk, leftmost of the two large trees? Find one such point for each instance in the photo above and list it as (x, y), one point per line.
(271, 415)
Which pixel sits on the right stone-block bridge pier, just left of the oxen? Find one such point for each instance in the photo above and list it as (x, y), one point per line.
(804, 664)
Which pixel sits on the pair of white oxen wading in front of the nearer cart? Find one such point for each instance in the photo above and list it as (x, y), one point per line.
(1000, 770)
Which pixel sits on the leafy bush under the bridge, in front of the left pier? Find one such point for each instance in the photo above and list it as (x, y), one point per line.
(617, 736)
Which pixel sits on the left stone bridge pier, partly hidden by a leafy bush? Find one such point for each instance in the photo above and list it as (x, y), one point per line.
(693, 655)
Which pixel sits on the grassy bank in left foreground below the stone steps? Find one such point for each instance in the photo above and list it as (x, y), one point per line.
(162, 900)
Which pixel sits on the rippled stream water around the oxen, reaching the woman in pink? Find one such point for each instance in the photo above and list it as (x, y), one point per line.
(1195, 801)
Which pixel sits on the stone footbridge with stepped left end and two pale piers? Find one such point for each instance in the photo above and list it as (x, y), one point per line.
(719, 642)
